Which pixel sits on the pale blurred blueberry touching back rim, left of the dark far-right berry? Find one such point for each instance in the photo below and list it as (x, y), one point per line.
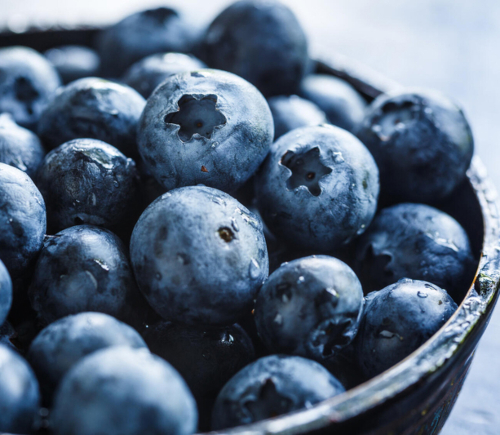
(343, 106)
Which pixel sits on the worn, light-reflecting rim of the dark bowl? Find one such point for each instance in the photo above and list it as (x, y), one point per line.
(442, 346)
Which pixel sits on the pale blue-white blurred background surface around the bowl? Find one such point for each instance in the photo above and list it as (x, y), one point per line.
(449, 45)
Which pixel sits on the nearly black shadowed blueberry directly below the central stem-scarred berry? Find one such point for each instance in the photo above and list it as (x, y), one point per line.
(206, 357)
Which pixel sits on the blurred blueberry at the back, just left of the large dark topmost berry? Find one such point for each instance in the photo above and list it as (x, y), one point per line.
(141, 34)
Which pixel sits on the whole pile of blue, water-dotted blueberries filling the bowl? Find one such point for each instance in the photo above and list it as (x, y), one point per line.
(135, 294)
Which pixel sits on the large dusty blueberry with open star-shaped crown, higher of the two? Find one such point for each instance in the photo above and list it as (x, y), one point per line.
(205, 127)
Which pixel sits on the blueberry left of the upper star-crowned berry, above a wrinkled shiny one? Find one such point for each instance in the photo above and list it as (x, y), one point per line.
(93, 108)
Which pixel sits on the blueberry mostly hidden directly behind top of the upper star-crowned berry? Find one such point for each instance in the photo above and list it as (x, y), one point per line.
(145, 75)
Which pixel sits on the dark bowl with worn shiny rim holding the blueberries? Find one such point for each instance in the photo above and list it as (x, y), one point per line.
(417, 395)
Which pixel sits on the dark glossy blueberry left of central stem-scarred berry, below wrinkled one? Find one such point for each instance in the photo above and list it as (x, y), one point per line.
(85, 268)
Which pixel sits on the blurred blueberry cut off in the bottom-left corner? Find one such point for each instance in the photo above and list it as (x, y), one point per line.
(19, 395)
